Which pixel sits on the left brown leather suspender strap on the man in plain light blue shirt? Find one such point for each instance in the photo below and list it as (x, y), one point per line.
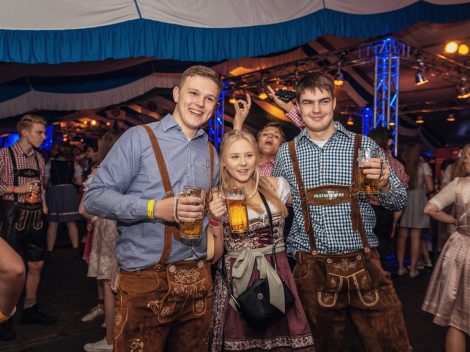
(170, 229)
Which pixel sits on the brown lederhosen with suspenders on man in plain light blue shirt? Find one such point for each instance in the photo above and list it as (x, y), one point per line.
(166, 307)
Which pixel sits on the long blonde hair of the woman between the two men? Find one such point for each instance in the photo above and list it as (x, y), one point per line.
(262, 184)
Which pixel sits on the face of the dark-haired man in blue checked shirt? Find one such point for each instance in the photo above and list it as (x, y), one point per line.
(317, 109)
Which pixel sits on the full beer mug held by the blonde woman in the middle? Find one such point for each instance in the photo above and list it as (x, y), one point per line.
(237, 211)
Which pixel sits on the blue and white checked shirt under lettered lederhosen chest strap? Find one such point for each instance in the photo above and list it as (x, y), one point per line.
(332, 165)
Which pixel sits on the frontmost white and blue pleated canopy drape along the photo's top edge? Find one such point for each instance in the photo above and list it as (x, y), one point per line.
(50, 31)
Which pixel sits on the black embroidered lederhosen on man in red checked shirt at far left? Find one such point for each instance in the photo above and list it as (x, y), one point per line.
(22, 224)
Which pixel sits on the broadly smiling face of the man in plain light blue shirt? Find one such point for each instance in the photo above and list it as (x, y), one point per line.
(195, 101)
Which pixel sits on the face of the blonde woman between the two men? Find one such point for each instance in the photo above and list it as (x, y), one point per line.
(240, 161)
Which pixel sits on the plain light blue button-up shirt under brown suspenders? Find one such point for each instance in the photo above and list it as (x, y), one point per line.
(129, 176)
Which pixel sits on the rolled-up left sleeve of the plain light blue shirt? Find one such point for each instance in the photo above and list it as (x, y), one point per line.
(108, 195)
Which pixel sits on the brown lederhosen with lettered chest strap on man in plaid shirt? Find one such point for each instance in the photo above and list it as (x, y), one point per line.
(332, 284)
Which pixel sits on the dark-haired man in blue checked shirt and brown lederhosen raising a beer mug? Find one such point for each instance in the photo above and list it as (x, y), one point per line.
(325, 152)
